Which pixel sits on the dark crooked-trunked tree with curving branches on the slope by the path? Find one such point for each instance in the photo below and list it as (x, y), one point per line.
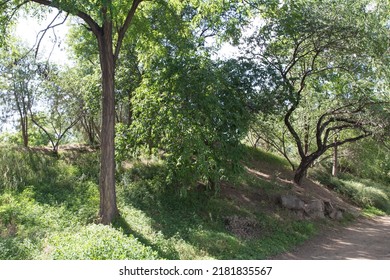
(322, 58)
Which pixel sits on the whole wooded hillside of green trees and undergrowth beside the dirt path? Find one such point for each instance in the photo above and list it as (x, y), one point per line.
(151, 141)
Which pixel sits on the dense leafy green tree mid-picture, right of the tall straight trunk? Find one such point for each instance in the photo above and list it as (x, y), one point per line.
(183, 92)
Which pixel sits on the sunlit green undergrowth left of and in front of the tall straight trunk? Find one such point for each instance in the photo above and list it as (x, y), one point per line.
(45, 205)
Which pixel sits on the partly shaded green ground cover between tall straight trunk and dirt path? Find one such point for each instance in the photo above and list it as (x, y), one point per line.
(193, 227)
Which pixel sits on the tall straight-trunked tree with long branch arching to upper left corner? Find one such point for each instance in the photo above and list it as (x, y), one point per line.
(109, 22)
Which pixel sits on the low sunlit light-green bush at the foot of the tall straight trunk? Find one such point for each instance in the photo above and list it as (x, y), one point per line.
(96, 242)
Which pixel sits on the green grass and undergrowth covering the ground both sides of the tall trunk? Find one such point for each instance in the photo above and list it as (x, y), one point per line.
(48, 208)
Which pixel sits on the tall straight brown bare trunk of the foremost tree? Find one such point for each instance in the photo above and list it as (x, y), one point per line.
(108, 206)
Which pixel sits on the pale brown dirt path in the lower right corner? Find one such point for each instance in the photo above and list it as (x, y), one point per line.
(365, 239)
